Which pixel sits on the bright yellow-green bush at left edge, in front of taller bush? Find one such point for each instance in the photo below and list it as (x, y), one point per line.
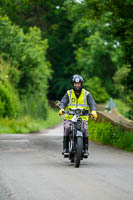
(9, 100)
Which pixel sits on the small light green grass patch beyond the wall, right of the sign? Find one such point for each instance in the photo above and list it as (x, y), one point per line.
(122, 107)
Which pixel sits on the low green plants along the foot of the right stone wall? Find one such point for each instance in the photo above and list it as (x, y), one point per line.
(106, 133)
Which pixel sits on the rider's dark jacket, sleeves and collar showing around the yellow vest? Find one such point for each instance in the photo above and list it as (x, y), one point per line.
(91, 102)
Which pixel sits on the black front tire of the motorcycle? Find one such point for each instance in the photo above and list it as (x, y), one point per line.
(78, 152)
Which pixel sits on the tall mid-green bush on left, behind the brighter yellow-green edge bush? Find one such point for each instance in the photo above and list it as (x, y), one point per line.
(29, 70)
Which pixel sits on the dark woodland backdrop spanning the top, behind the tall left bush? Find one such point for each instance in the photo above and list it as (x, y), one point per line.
(72, 27)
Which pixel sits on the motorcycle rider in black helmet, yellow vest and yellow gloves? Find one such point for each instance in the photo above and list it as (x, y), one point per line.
(77, 97)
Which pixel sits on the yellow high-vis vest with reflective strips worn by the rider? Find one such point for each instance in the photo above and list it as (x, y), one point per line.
(81, 102)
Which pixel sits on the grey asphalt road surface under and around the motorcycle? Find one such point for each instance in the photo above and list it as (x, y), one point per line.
(32, 168)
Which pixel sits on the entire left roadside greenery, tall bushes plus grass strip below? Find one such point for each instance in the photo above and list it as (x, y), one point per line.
(24, 76)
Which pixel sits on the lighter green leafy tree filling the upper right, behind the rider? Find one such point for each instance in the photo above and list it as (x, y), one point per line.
(102, 34)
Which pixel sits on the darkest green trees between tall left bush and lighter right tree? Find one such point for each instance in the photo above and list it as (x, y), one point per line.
(50, 17)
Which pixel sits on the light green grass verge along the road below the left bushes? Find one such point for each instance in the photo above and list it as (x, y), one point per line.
(27, 124)
